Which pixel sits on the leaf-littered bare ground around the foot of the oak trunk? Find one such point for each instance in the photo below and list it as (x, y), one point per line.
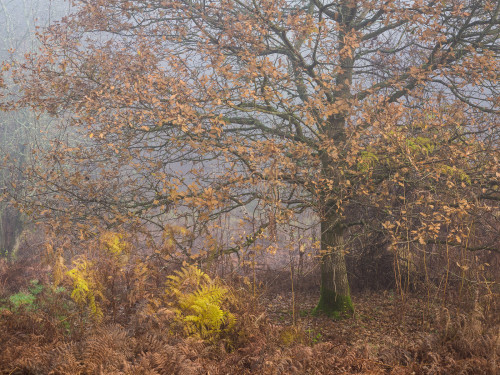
(380, 319)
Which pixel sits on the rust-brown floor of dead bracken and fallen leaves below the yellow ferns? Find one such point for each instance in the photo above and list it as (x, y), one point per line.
(388, 334)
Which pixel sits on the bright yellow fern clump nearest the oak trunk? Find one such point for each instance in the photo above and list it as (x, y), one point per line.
(197, 303)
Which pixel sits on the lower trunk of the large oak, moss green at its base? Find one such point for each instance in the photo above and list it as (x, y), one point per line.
(335, 298)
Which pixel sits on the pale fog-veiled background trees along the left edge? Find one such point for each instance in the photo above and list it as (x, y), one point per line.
(19, 129)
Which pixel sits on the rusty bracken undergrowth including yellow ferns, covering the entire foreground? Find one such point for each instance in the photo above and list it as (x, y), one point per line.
(182, 321)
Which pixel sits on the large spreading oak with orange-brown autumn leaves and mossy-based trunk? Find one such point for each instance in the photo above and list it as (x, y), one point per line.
(373, 114)
